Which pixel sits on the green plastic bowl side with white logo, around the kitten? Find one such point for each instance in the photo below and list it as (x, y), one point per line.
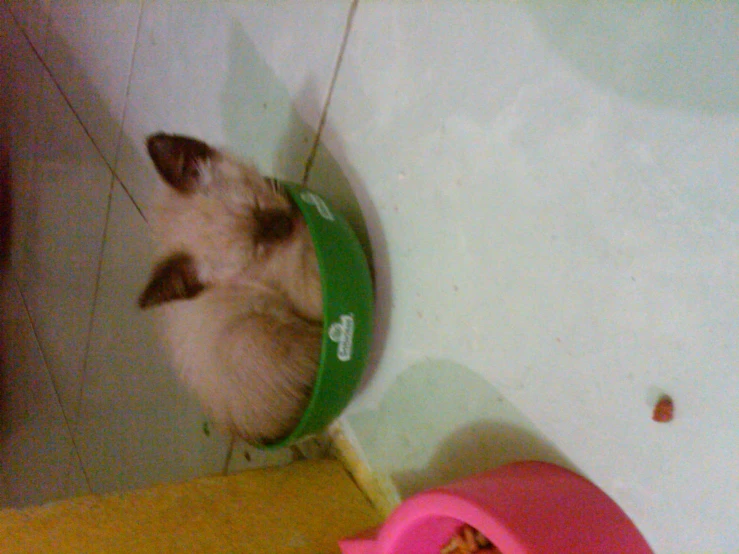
(348, 306)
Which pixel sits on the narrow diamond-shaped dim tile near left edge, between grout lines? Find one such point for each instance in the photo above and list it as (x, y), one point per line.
(62, 229)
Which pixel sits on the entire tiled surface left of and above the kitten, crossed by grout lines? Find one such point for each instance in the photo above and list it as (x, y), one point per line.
(94, 406)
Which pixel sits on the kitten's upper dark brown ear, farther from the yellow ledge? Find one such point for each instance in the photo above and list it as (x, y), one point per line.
(176, 158)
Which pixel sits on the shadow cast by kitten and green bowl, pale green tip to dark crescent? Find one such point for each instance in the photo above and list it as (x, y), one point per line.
(245, 103)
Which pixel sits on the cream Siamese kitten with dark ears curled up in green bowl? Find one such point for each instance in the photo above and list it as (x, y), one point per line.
(237, 286)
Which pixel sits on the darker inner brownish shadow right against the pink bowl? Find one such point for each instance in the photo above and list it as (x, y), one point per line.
(478, 447)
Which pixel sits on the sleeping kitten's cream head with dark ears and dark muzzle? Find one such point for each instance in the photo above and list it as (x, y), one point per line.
(216, 217)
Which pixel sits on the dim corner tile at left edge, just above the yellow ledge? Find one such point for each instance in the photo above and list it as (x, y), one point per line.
(37, 456)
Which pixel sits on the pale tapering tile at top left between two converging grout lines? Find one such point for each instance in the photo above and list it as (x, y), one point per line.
(89, 52)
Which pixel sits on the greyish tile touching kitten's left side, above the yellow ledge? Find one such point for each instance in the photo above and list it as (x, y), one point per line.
(137, 424)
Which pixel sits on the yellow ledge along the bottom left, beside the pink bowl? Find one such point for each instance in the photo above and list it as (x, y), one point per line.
(305, 507)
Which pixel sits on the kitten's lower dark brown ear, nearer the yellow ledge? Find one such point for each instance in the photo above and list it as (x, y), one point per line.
(174, 278)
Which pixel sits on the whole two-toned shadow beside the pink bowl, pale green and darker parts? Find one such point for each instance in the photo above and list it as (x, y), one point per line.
(440, 421)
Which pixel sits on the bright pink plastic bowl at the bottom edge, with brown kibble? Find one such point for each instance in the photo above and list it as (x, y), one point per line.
(523, 508)
